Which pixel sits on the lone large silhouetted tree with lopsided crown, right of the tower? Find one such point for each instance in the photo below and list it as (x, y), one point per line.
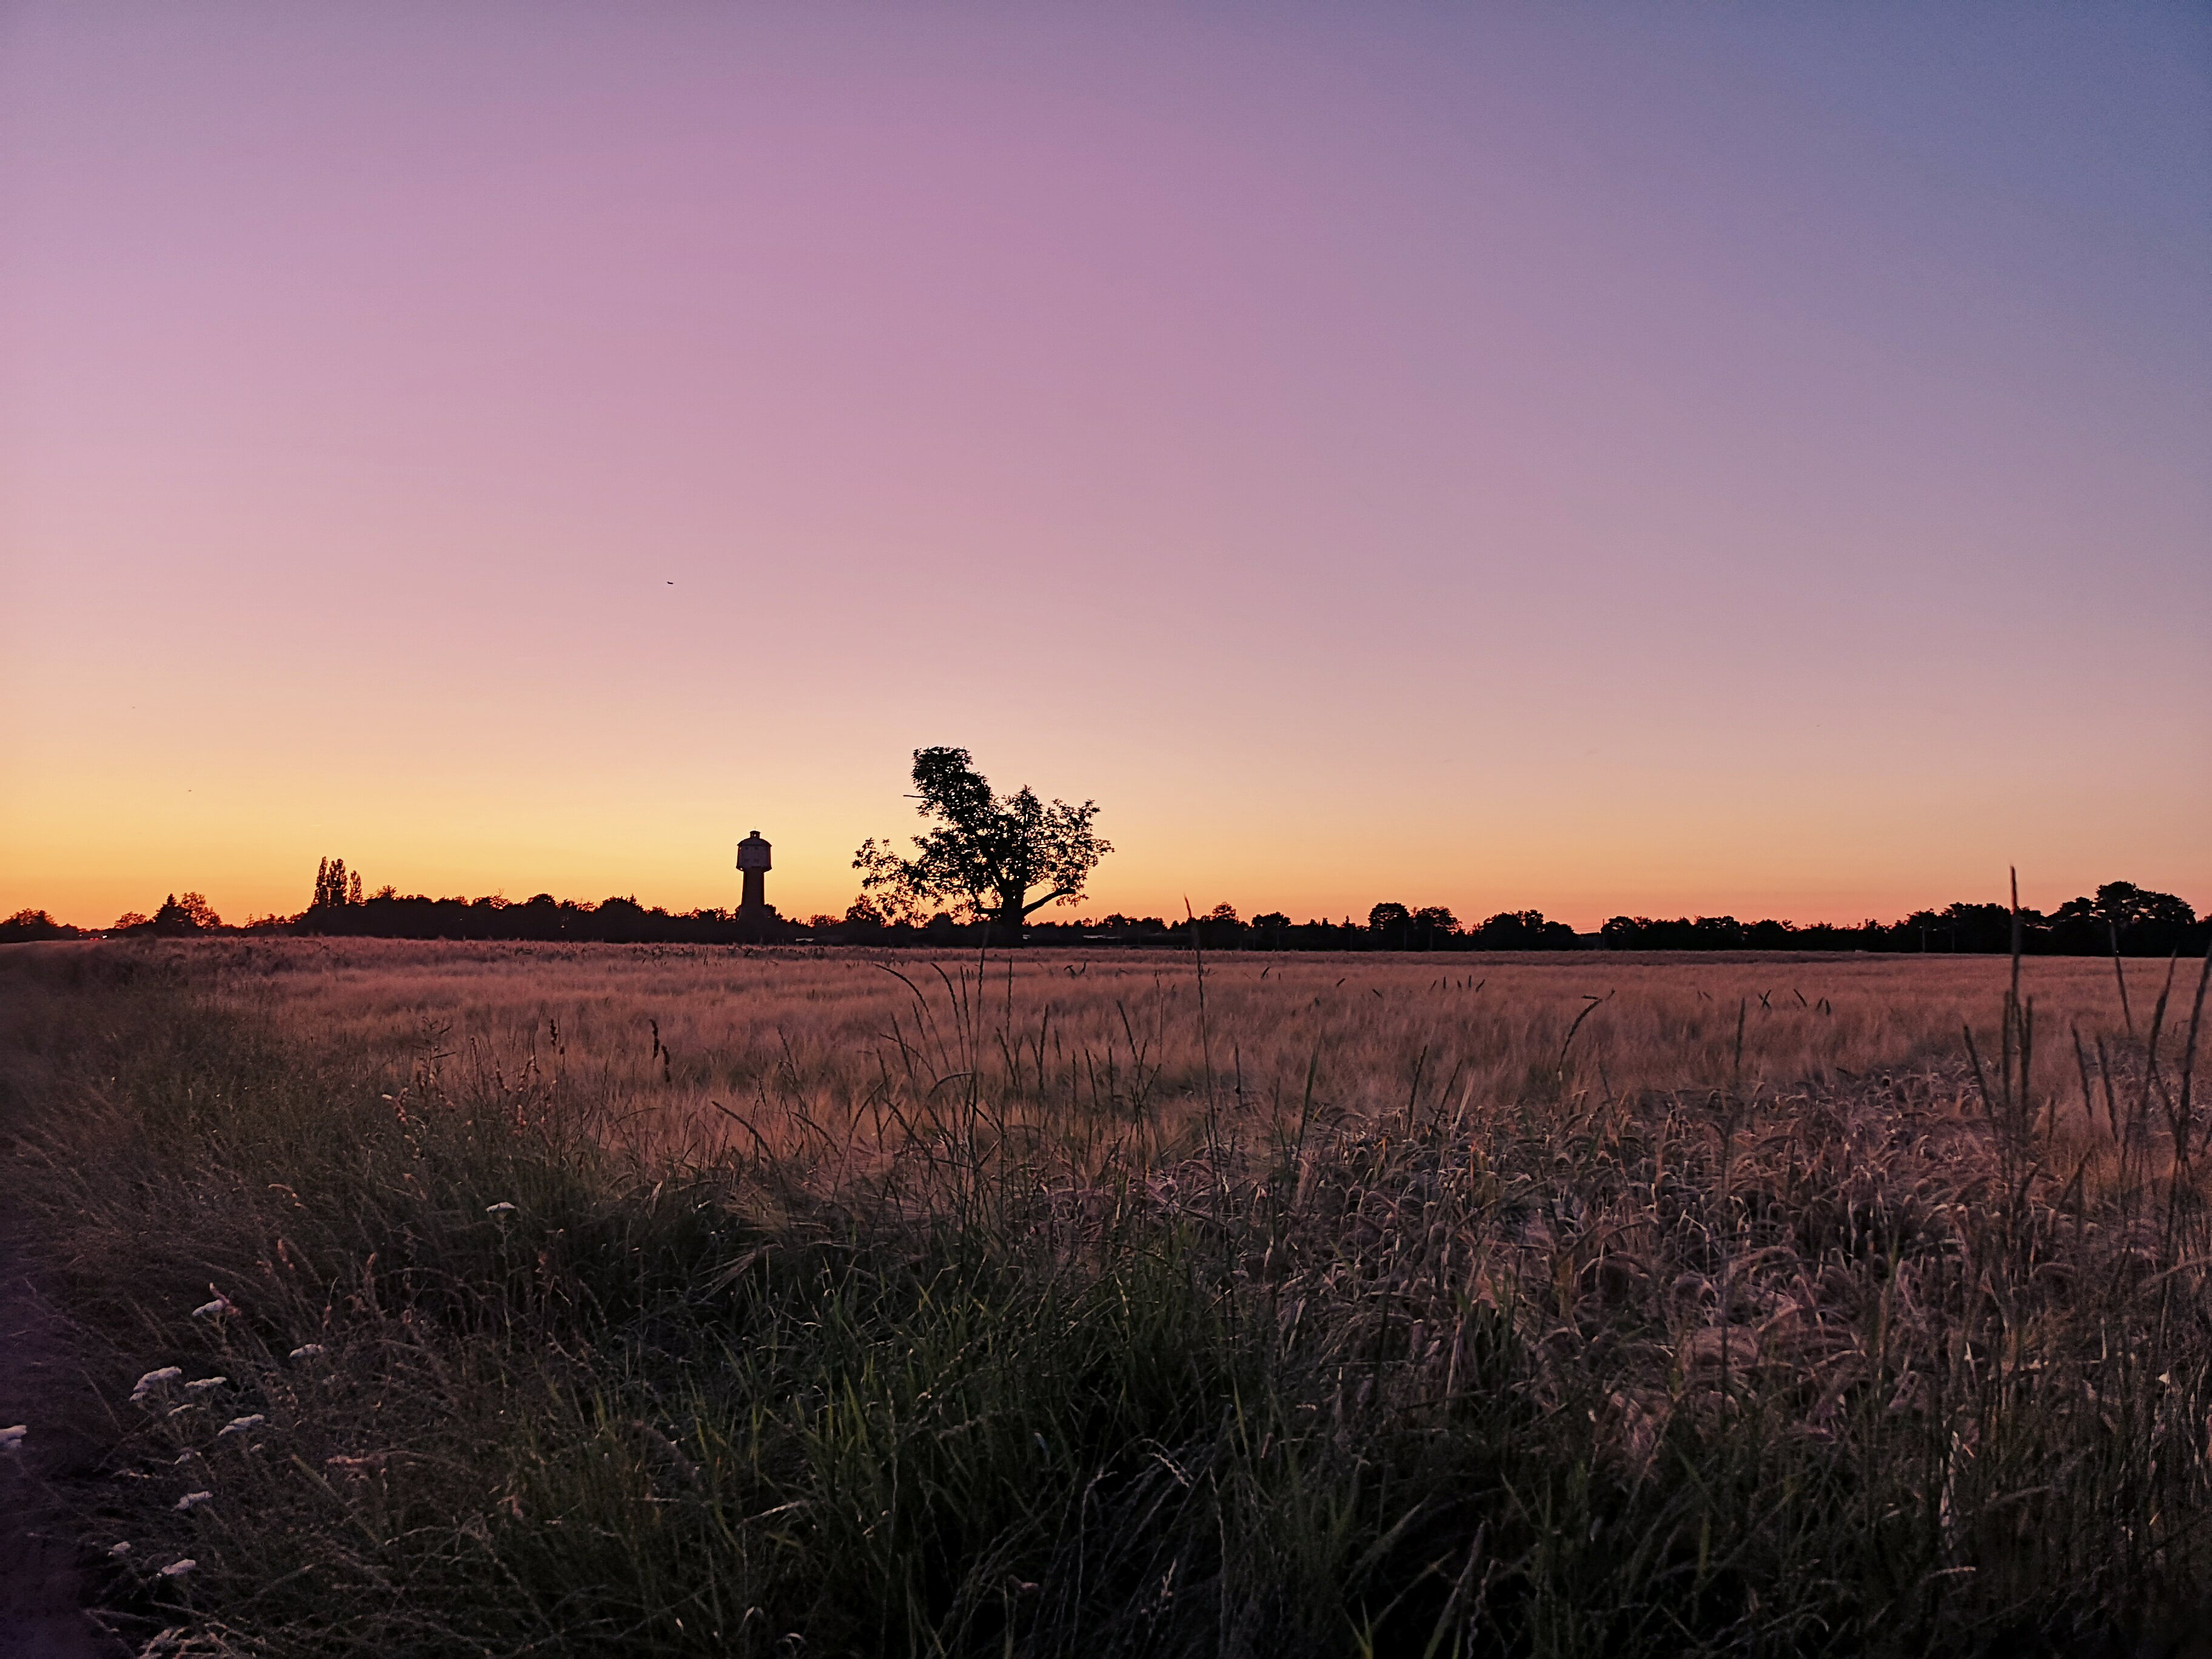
(988, 853)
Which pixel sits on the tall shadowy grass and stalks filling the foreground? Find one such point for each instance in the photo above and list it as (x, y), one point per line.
(1003, 1355)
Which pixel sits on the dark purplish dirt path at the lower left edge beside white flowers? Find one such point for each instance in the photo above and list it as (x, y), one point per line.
(41, 1589)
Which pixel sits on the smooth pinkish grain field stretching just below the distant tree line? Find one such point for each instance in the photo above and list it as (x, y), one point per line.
(671, 1030)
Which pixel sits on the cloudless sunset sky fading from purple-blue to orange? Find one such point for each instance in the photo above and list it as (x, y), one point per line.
(1607, 459)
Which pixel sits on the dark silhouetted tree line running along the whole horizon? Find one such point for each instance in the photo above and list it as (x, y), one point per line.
(2122, 917)
